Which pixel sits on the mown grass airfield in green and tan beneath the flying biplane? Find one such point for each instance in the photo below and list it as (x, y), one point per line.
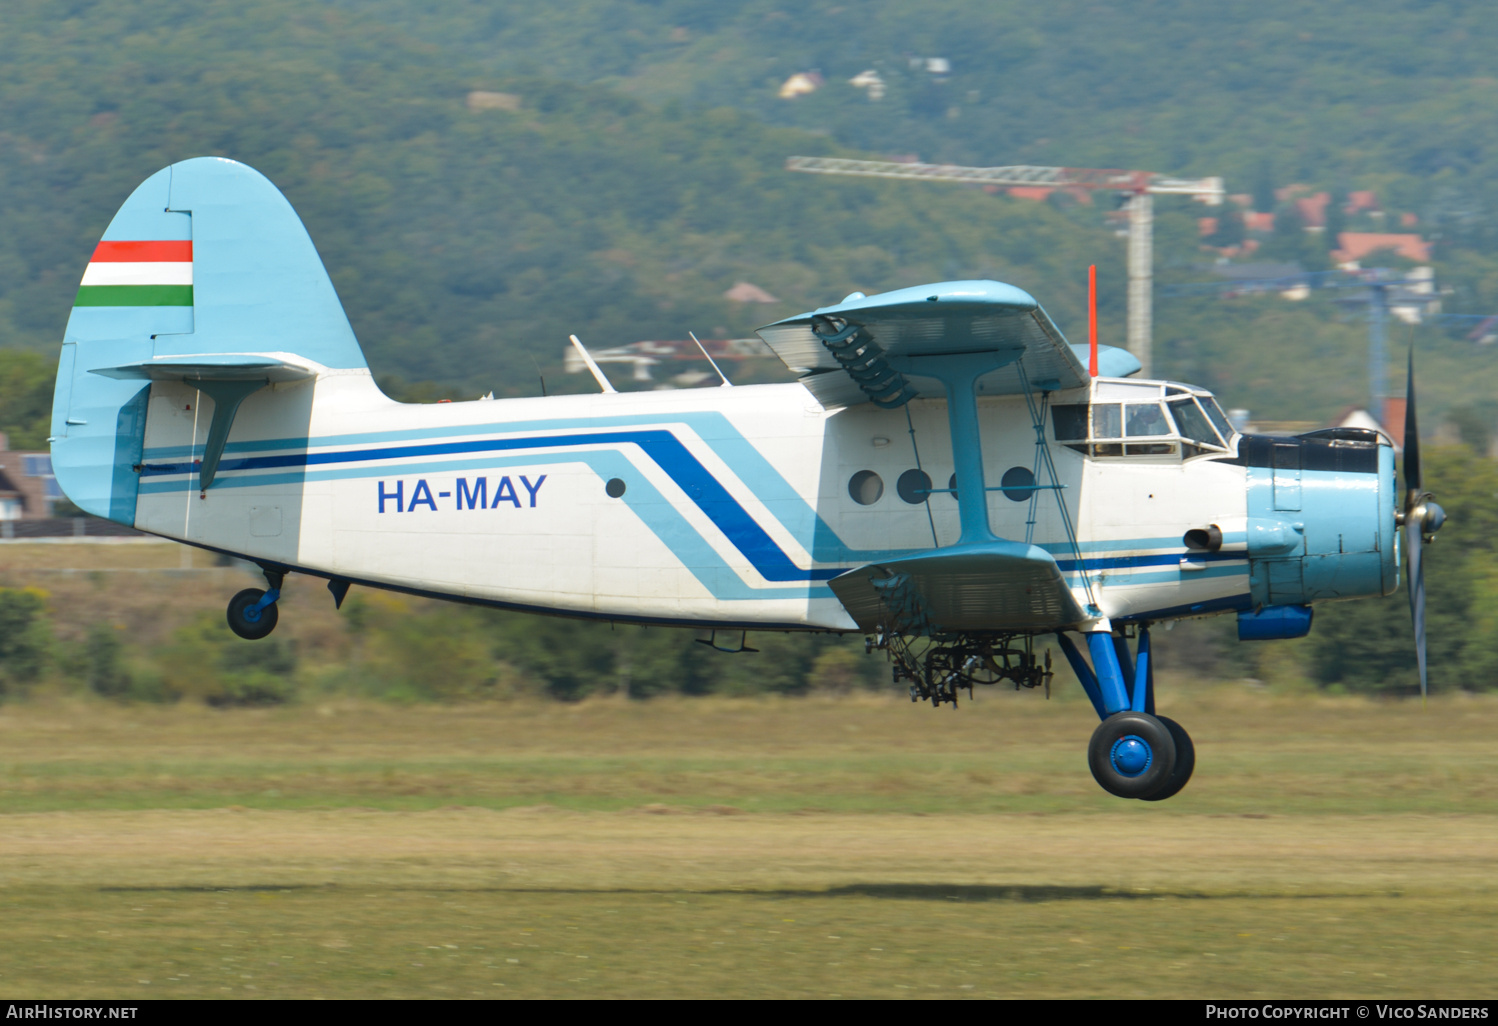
(856, 847)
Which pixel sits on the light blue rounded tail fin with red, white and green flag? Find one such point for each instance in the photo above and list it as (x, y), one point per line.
(204, 258)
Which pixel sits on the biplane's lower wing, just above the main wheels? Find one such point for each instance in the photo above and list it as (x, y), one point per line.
(989, 586)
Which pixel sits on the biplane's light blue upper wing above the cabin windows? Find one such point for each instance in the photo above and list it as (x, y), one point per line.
(859, 350)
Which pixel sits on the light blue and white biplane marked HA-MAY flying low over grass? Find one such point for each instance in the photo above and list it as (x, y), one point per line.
(949, 476)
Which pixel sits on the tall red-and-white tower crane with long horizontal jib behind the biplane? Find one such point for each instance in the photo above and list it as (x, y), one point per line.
(1139, 186)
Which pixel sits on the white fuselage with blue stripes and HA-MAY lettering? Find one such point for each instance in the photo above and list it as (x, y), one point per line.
(726, 507)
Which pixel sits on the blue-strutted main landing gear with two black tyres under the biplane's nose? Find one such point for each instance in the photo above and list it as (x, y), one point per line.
(1133, 754)
